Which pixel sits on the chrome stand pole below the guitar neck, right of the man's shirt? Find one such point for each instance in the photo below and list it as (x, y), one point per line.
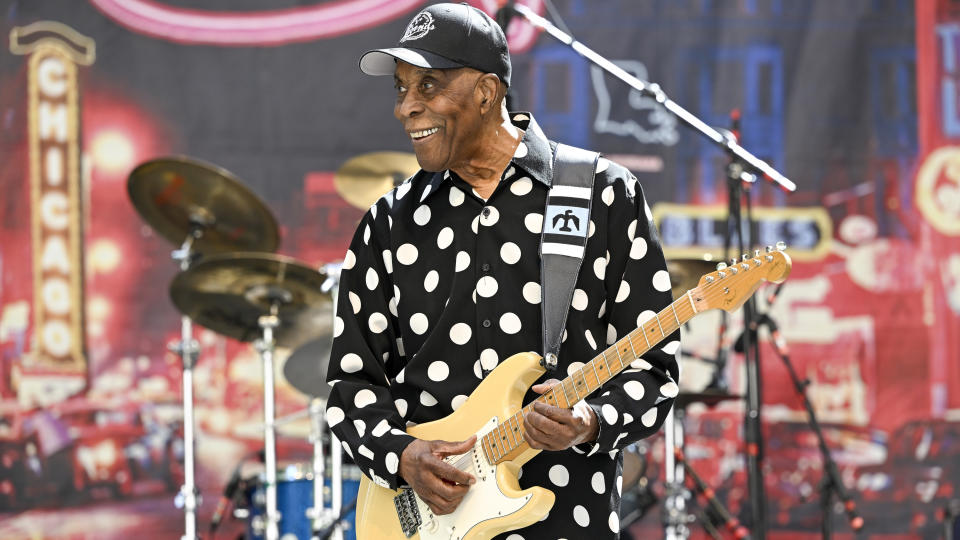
(675, 516)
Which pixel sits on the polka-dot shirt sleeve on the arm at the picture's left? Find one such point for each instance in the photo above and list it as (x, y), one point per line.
(365, 355)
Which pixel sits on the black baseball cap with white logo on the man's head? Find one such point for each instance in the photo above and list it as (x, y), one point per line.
(445, 36)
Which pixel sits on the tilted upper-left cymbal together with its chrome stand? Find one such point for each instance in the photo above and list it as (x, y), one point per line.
(203, 208)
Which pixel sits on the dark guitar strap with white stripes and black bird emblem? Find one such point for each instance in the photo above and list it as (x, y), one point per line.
(566, 223)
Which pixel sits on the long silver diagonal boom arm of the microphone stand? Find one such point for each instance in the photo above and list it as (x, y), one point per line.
(654, 91)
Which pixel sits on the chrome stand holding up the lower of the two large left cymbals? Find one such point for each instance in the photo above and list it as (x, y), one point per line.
(265, 346)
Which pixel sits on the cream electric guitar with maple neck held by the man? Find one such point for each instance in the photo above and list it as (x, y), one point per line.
(495, 503)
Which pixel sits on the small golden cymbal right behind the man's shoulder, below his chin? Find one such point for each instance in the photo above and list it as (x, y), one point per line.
(365, 178)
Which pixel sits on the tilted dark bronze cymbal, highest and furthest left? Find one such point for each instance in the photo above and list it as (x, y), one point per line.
(178, 196)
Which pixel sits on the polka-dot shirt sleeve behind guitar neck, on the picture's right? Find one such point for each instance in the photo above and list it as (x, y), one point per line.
(634, 404)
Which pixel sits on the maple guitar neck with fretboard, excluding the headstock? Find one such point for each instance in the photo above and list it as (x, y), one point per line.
(504, 442)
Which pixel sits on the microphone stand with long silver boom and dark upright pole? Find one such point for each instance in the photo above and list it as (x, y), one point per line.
(747, 167)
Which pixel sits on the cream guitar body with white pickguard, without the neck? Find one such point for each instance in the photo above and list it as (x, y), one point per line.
(494, 504)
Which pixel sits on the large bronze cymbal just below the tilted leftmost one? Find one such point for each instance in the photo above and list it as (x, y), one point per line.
(229, 292)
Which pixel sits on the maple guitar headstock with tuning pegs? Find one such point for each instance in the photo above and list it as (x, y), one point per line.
(732, 284)
